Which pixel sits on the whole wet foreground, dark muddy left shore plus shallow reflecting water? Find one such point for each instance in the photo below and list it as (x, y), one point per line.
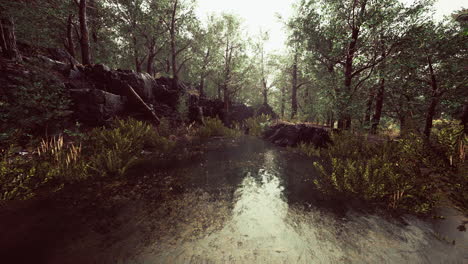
(237, 201)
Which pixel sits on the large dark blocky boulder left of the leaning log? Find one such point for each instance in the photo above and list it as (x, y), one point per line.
(95, 107)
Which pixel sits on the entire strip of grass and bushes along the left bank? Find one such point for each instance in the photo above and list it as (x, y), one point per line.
(104, 152)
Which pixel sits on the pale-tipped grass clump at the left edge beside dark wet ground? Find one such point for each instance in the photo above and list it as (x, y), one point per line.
(22, 176)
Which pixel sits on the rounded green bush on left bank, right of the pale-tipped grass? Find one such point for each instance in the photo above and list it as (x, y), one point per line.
(113, 151)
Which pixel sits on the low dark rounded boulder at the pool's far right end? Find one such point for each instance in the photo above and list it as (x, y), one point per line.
(290, 135)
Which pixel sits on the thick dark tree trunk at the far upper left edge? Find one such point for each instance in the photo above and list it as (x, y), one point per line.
(8, 40)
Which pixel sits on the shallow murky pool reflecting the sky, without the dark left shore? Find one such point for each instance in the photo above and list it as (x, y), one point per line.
(271, 216)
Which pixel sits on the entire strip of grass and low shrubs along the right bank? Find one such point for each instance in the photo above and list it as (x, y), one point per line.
(404, 175)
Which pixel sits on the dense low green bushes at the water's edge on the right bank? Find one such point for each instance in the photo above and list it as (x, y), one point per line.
(390, 174)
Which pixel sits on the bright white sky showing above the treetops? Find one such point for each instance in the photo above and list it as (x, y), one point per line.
(263, 15)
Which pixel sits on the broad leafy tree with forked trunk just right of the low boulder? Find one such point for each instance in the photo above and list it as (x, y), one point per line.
(349, 39)
